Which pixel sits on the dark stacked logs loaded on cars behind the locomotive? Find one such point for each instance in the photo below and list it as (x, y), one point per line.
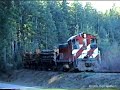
(40, 60)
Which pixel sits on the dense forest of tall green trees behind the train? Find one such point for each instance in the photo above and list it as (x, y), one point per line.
(26, 25)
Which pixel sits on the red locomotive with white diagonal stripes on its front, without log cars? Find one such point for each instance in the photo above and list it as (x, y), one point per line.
(80, 52)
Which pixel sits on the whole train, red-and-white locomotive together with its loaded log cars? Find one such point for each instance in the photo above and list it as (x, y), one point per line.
(80, 52)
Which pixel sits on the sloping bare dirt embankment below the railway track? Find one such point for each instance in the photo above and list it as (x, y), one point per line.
(49, 79)
